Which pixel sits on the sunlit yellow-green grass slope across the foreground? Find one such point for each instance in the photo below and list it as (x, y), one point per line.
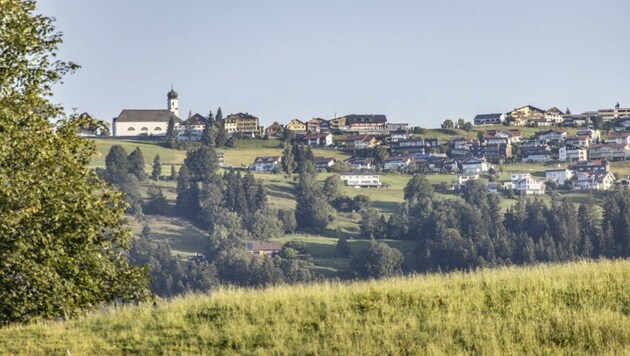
(575, 308)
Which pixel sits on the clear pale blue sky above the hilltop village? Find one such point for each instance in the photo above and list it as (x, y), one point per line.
(419, 62)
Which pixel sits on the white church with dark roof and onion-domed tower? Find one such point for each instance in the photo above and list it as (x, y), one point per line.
(147, 122)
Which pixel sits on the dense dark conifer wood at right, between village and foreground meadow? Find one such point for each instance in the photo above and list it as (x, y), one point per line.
(474, 232)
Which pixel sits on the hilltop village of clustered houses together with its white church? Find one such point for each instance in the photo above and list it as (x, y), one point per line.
(587, 142)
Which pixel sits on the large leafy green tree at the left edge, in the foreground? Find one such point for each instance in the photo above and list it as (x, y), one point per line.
(63, 229)
